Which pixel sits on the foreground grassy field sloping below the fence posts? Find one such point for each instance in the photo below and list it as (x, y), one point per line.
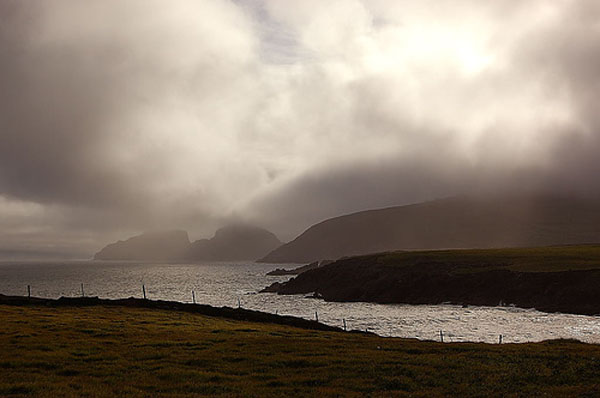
(106, 351)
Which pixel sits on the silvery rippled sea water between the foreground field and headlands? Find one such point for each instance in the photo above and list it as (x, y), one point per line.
(222, 284)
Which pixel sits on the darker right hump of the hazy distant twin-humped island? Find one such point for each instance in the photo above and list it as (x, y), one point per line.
(238, 242)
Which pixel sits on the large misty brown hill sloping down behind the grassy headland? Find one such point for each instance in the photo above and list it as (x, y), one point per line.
(448, 223)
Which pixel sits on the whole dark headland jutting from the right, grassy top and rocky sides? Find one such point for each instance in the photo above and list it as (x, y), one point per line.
(552, 279)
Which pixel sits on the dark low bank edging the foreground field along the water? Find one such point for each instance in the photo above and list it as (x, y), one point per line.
(238, 314)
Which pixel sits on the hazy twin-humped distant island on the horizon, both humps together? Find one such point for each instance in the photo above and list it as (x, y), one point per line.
(238, 242)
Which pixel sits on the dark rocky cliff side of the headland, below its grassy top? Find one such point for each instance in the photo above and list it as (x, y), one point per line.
(371, 279)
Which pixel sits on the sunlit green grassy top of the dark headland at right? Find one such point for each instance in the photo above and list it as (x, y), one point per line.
(538, 259)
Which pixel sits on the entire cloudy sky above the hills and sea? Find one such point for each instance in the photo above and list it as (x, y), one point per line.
(119, 117)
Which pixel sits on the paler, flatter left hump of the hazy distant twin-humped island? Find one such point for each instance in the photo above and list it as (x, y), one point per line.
(152, 246)
